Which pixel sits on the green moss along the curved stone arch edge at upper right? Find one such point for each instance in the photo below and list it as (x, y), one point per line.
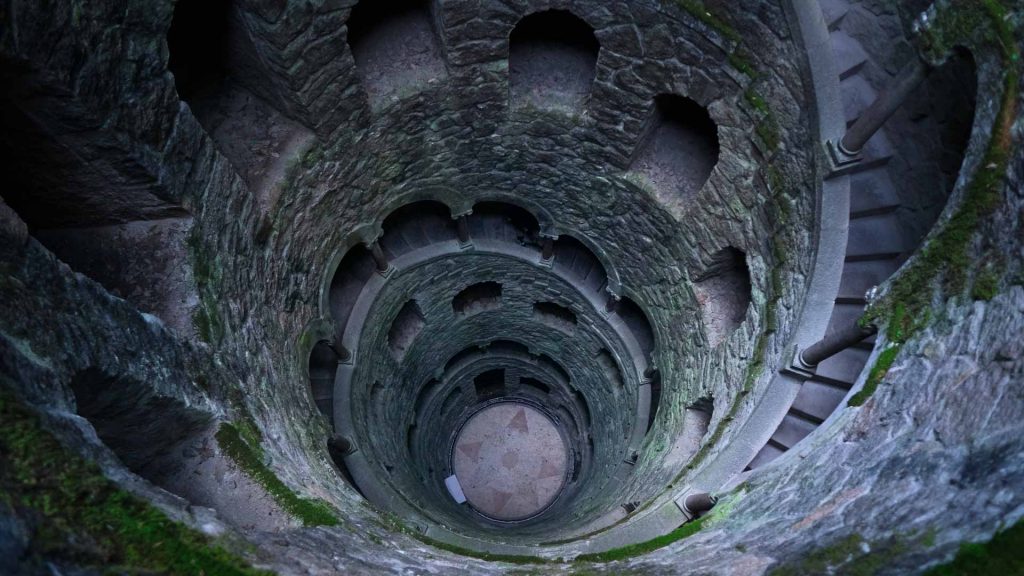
(945, 264)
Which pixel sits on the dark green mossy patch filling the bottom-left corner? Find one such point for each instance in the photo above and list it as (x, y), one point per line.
(76, 515)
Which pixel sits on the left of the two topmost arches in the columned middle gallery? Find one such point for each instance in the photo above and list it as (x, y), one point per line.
(416, 226)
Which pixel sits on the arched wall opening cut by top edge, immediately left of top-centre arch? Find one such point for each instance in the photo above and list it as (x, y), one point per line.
(396, 49)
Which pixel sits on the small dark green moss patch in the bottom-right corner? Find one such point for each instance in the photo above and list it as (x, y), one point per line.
(1000, 556)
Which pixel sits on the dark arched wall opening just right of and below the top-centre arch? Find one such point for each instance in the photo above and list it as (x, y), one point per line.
(679, 149)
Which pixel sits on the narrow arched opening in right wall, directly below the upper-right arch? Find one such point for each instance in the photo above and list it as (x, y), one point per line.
(723, 291)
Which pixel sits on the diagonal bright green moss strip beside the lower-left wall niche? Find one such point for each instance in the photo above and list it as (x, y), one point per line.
(310, 512)
